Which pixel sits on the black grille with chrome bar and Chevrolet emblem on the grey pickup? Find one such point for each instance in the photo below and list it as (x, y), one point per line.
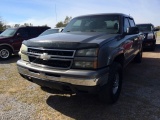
(51, 57)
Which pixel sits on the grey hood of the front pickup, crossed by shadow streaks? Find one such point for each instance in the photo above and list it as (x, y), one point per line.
(70, 40)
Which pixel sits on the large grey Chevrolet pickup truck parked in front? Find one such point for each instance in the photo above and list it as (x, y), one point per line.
(87, 57)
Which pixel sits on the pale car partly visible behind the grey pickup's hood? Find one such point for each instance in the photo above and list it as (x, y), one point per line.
(51, 31)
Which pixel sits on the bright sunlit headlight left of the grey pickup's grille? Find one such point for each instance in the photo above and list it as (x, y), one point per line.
(23, 52)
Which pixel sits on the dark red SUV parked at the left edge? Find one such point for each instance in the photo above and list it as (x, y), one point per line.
(11, 39)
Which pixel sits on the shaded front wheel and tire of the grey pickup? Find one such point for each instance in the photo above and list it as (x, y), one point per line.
(110, 92)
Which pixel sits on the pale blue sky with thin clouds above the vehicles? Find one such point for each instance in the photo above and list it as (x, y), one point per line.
(41, 12)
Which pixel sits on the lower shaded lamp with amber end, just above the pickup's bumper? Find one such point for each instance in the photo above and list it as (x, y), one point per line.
(85, 65)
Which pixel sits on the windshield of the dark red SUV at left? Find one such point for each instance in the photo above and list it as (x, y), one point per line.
(8, 33)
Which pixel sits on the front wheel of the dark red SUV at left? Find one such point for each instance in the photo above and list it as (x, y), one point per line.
(5, 53)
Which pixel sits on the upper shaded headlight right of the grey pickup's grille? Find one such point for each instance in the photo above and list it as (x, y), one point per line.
(87, 52)
